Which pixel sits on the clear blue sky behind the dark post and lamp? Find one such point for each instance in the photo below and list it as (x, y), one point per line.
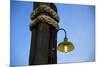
(77, 20)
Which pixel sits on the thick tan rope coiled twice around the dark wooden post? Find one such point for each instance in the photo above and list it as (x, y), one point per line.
(50, 17)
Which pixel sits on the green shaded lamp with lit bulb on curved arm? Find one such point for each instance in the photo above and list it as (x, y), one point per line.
(65, 46)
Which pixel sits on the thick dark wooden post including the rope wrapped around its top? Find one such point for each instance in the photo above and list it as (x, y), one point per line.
(44, 27)
